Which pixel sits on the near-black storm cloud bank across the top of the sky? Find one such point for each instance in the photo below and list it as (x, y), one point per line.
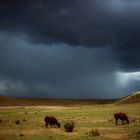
(92, 23)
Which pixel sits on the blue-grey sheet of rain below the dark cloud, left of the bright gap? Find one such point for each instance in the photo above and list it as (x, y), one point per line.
(60, 71)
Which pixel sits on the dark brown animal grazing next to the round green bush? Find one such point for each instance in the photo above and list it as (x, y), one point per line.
(52, 121)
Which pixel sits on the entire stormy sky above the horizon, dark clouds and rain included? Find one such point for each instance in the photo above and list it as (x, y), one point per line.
(69, 48)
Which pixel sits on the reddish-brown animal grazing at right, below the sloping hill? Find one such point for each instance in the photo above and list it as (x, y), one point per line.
(121, 116)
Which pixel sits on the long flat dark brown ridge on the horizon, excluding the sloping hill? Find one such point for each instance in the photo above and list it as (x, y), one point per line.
(11, 101)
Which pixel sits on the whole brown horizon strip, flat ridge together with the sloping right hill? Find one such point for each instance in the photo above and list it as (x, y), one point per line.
(11, 101)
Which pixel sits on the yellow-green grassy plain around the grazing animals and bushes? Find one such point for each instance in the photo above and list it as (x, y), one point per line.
(86, 118)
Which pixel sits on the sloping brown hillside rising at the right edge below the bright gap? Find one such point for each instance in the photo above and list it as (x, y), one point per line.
(133, 98)
